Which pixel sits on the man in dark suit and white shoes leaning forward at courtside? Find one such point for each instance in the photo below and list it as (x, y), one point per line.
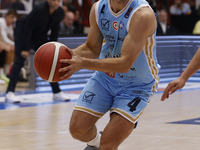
(30, 33)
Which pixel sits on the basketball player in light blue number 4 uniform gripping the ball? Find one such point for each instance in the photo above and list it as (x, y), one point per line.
(126, 72)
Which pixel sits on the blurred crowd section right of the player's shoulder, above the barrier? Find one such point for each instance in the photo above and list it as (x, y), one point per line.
(179, 18)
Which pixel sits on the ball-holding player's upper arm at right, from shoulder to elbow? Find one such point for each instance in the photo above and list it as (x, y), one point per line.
(143, 24)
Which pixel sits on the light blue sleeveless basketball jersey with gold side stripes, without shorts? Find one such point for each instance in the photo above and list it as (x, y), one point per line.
(114, 27)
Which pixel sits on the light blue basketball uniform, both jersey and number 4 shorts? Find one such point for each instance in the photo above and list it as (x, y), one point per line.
(129, 93)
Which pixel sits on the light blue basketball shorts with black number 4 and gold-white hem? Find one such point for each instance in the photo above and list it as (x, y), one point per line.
(100, 96)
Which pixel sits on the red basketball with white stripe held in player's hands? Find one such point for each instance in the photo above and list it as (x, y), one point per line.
(47, 61)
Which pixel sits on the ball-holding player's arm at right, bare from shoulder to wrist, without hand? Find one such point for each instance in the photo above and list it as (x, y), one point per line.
(143, 24)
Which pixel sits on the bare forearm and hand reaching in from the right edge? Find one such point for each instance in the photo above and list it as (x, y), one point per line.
(179, 83)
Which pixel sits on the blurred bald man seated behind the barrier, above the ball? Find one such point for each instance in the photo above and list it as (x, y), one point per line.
(66, 26)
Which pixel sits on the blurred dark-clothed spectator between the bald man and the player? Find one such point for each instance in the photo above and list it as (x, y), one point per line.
(78, 26)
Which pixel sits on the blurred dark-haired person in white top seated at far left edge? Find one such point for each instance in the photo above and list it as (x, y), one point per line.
(7, 34)
